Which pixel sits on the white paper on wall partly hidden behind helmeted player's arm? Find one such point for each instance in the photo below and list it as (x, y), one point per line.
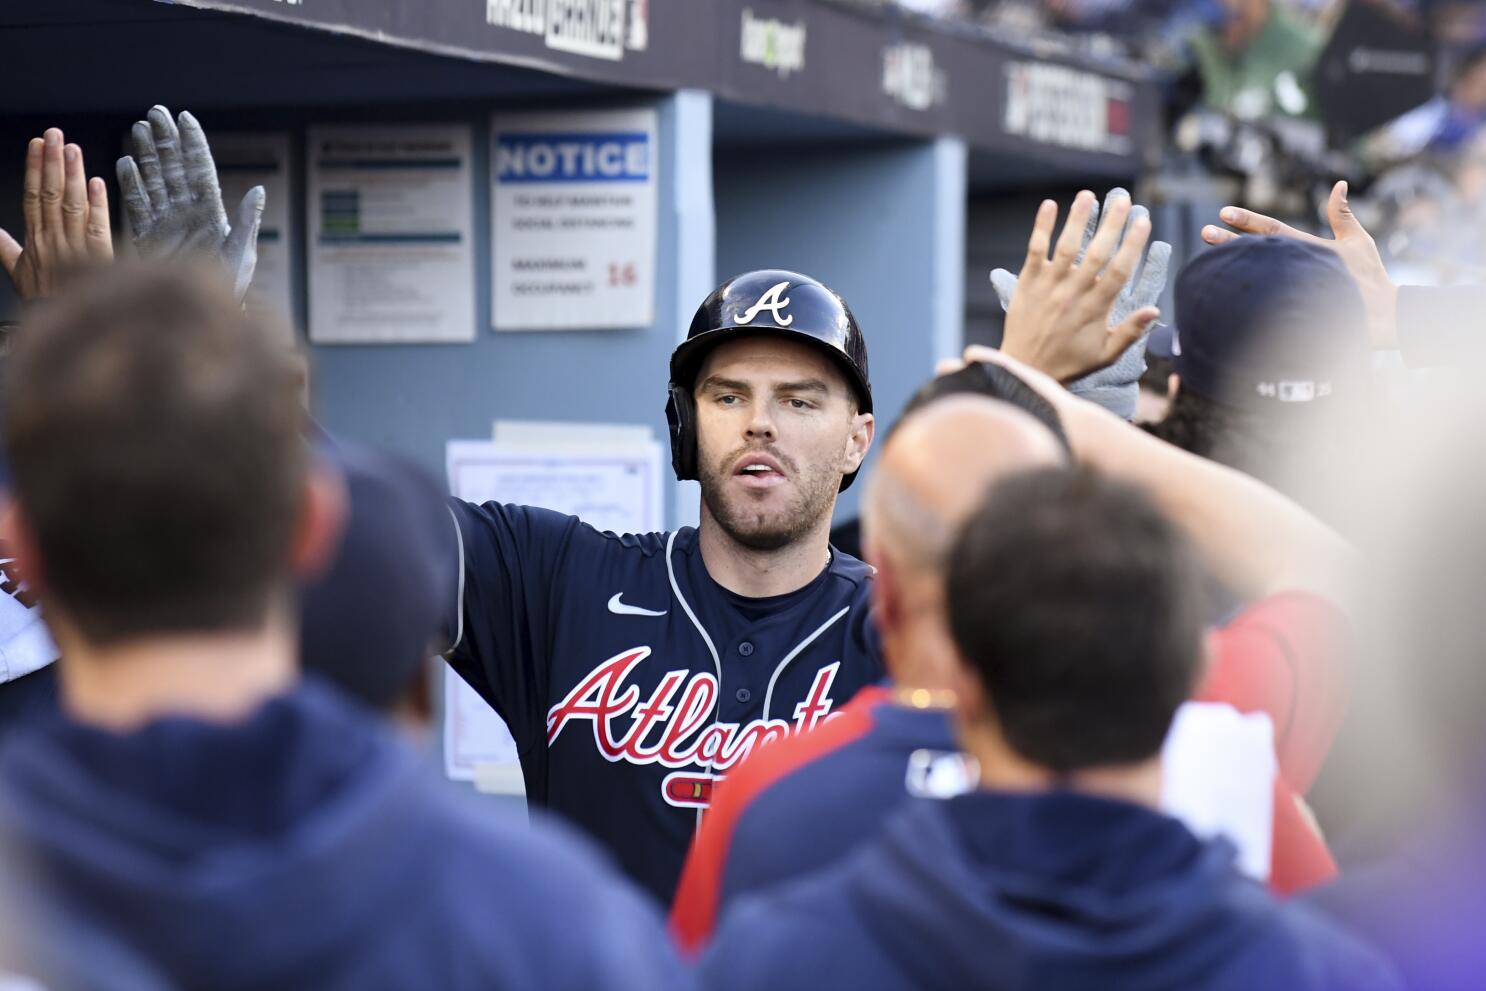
(616, 487)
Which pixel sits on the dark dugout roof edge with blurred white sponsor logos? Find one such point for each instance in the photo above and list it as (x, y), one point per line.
(867, 65)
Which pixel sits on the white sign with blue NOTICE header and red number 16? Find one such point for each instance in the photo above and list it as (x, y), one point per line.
(574, 221)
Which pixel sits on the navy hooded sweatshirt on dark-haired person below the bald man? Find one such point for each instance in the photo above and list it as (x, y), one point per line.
(1054, 891)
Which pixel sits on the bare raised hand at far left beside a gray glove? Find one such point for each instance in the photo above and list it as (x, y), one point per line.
(66, 219)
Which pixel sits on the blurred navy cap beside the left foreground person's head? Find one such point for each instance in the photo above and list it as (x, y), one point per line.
(368, 625)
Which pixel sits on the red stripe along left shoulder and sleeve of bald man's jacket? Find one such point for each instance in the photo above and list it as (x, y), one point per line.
(695, 913)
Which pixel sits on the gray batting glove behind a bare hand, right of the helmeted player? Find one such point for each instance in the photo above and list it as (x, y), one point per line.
(1117, 387)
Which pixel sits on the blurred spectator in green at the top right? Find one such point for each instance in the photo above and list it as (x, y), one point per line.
(1256, 60)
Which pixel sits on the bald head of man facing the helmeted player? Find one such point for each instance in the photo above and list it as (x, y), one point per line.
(937, 467)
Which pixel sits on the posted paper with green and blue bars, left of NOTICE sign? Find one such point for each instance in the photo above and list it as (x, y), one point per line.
(392, 243)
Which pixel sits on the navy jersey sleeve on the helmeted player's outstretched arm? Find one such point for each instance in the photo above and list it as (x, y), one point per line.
(503, 613)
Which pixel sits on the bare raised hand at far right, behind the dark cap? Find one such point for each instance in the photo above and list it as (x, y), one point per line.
(1353, 243)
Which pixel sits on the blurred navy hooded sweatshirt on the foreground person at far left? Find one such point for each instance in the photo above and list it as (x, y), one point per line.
(304, 848)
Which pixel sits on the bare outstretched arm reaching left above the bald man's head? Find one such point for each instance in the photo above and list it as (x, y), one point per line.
(1253, 539)
